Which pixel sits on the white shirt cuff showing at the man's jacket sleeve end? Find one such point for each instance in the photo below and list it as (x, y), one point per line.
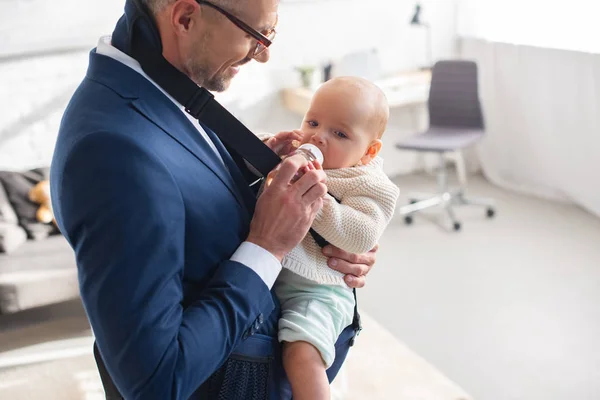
(265, 264)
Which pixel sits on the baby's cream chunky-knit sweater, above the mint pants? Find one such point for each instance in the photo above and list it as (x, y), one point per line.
(367, 203)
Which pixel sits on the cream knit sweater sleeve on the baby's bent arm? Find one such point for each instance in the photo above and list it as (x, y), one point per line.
(367, 205)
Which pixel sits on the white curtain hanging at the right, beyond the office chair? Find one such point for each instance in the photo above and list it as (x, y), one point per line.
(542, 110)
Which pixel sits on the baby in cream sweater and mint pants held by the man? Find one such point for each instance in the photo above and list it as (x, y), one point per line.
(346, 120)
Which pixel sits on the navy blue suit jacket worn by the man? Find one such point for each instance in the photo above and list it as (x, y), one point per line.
(153, 217)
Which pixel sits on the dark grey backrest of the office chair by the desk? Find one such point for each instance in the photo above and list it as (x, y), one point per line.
(454, 95)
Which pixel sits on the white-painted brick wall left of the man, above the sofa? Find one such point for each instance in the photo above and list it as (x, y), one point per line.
(40, 68)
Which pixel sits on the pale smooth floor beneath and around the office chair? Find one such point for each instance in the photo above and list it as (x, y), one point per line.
(507, 308)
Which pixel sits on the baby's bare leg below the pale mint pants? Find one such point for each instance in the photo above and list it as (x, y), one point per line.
(306, 371)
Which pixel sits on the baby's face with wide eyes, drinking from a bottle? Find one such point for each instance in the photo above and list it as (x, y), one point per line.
(338, 123)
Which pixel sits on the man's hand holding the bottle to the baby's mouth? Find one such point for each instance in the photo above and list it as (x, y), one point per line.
(284, 211)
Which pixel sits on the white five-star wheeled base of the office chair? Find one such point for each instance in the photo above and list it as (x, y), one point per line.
(445, 199)
